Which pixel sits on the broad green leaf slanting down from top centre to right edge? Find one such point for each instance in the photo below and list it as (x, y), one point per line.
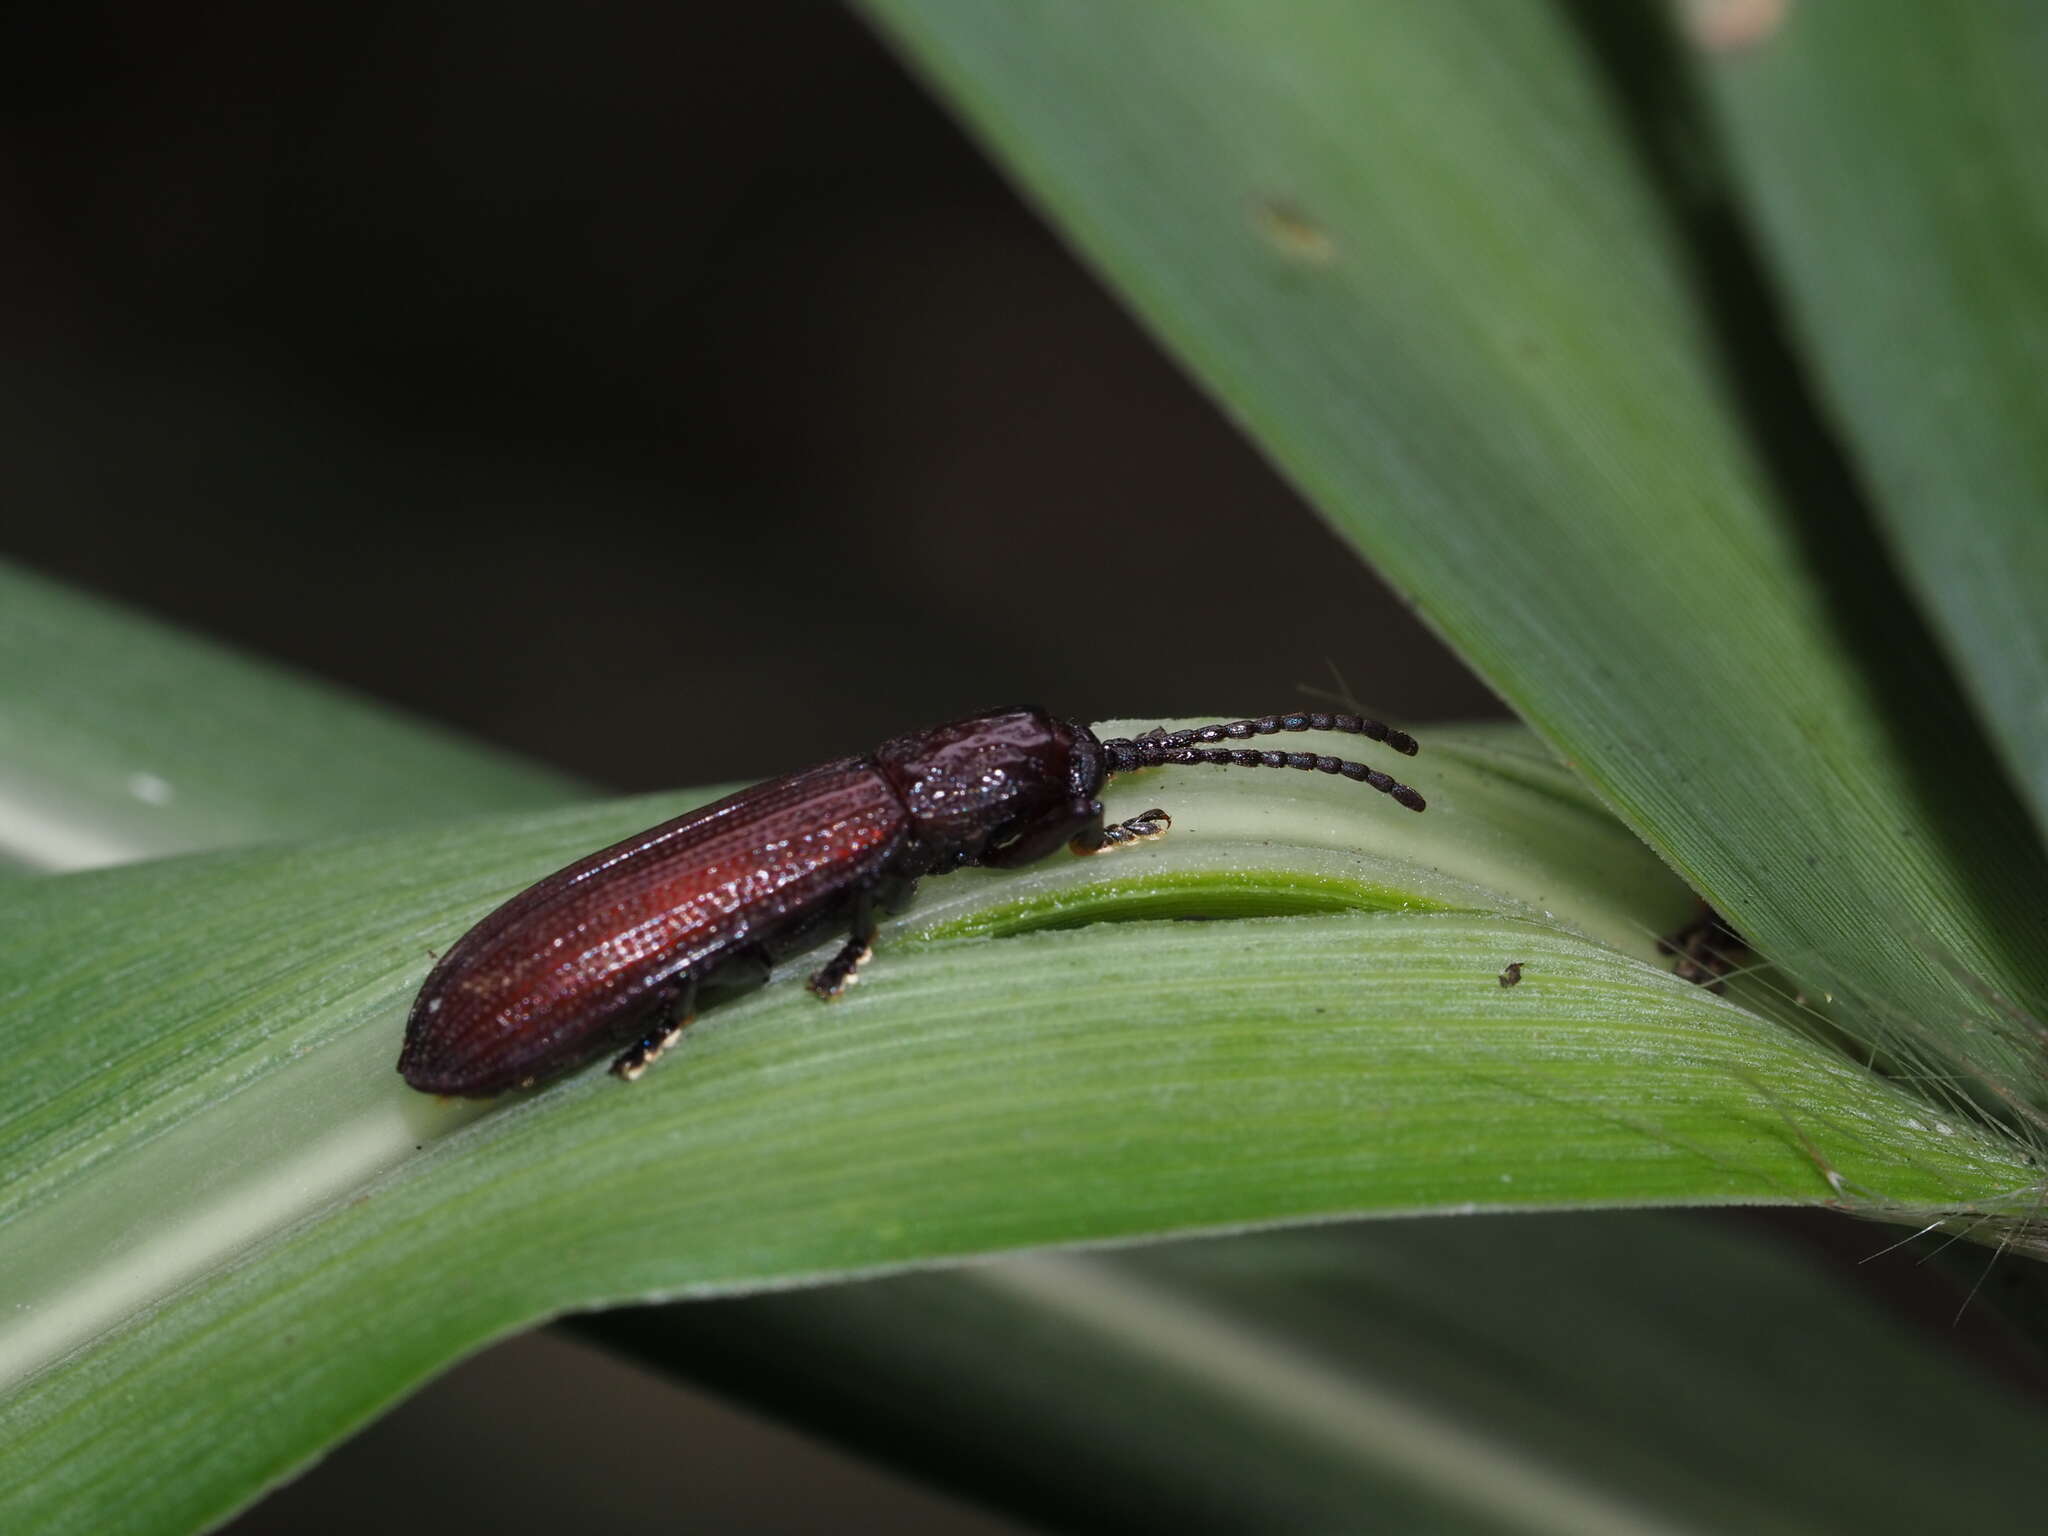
(1416, 253)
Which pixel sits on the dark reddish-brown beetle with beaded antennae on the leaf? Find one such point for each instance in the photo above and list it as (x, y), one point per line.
(613, 951)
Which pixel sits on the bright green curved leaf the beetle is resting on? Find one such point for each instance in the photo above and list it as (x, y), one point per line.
(216, 1183)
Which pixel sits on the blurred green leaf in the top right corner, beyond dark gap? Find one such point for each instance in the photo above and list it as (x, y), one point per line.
(1893, 175)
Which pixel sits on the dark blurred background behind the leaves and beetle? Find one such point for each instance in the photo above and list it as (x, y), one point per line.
(669, 394)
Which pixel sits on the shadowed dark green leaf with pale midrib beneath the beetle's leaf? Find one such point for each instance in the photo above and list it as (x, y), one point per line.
(1437, 1396)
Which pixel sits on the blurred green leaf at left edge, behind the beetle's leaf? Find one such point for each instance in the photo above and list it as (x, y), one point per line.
(124, 740)
